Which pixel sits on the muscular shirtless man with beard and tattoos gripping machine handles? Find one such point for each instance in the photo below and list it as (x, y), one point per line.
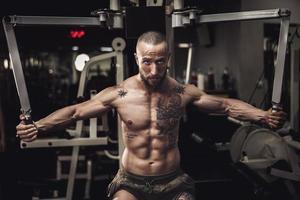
(150, 105)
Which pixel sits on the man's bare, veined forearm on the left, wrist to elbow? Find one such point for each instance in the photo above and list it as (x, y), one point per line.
(59, 119)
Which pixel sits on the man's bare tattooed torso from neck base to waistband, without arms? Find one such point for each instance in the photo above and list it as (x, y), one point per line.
(150, 125)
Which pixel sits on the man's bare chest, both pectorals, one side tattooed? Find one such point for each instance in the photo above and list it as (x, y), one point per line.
(141, 111)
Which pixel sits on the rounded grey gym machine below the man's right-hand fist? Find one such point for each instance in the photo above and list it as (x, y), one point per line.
(261, 149)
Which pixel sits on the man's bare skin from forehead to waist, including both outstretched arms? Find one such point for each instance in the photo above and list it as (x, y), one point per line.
(150, 105)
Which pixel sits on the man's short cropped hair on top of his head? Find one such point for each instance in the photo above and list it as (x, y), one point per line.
(153, 37)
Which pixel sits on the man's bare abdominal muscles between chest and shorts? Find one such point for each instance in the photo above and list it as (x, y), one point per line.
(149, 154)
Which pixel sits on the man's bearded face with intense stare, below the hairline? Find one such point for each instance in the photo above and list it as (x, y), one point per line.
(153, 62)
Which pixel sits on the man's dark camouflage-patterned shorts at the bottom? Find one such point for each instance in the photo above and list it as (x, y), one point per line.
(152, 187)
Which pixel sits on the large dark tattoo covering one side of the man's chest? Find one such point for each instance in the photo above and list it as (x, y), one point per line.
(169, 111)
